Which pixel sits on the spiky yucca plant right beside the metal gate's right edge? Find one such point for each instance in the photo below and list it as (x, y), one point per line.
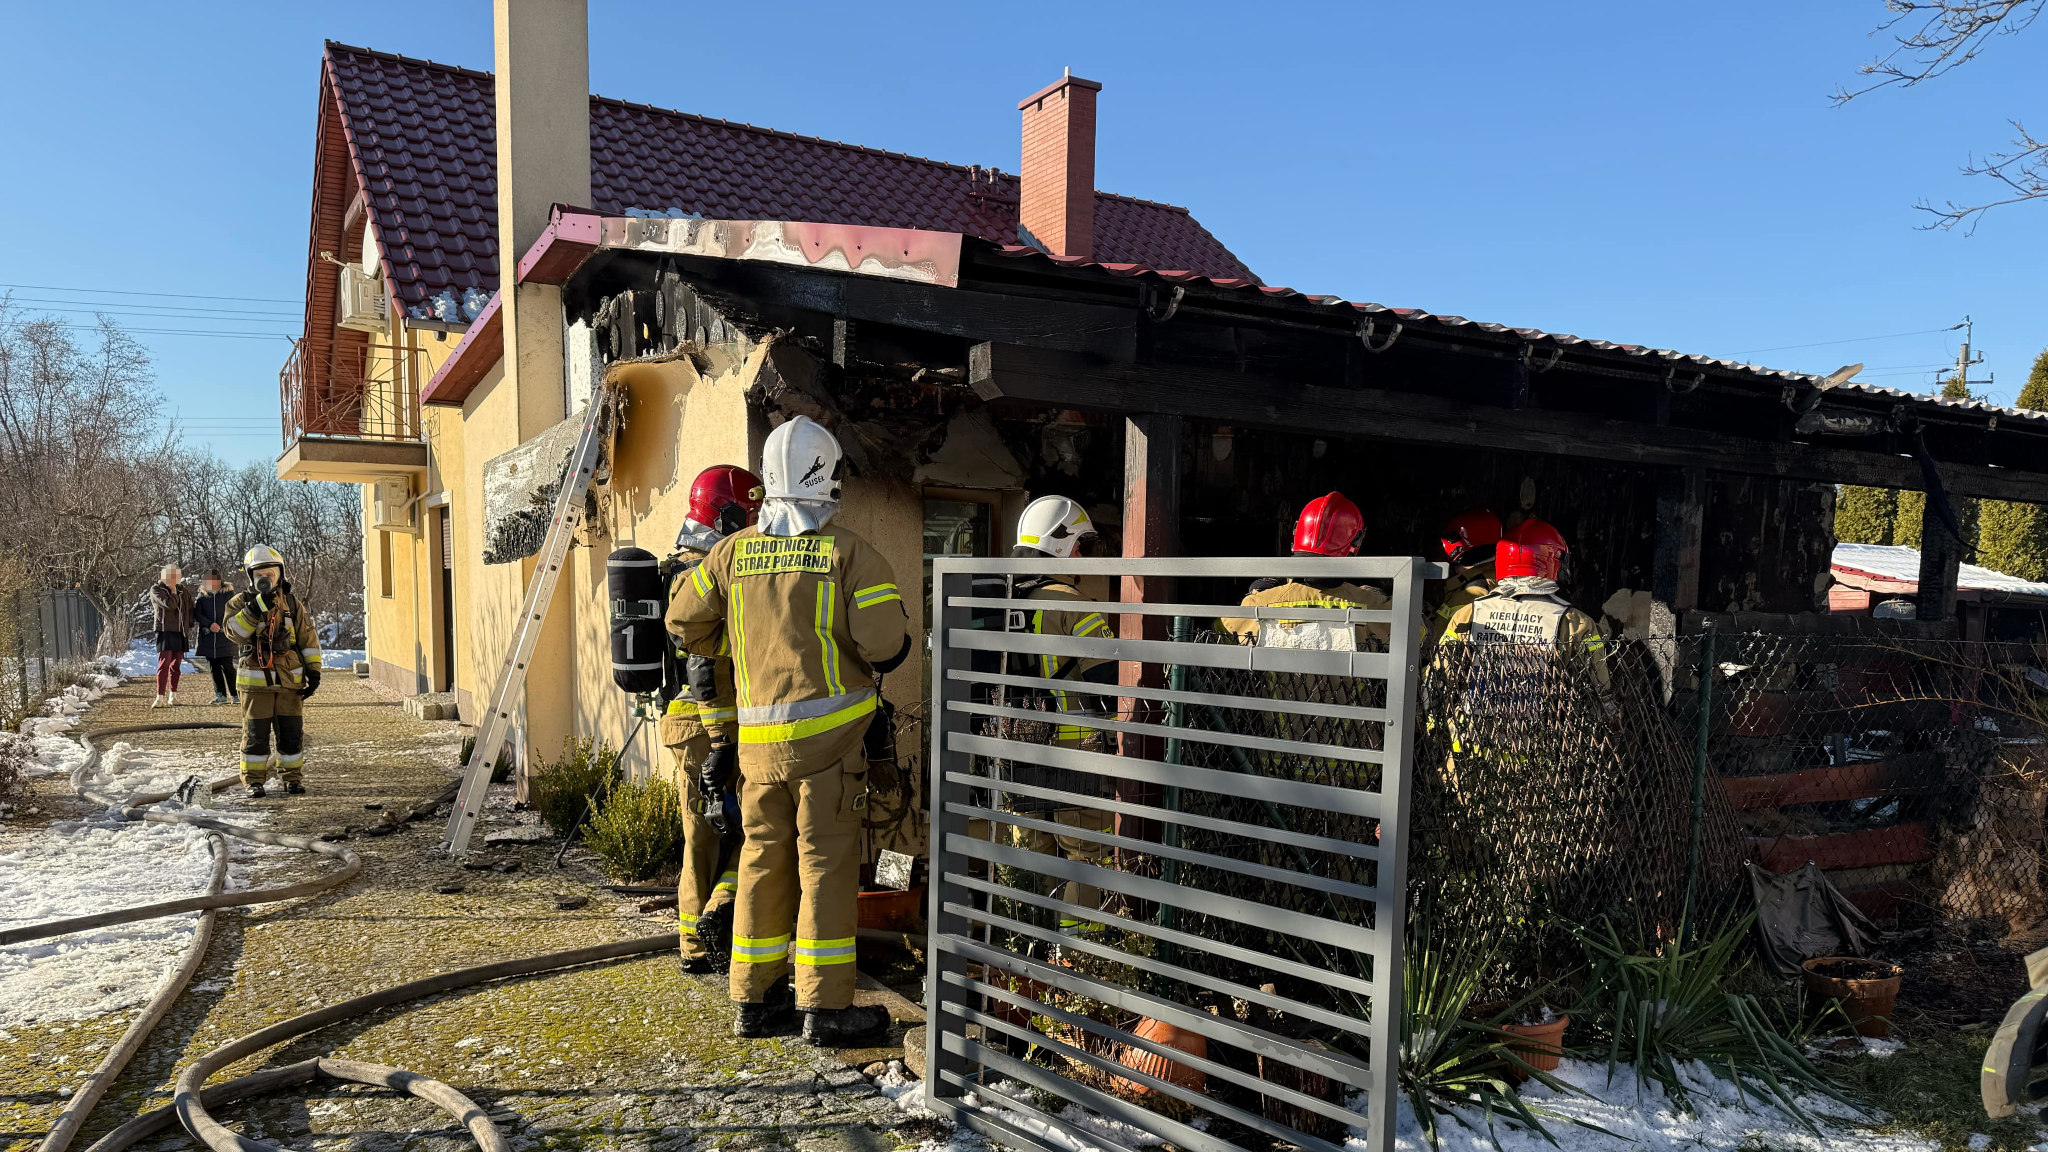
(1449, 1061)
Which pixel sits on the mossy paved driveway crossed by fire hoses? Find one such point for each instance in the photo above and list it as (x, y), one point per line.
(622, 1057)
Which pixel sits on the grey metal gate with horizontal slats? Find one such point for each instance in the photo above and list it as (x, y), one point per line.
(1172, 901)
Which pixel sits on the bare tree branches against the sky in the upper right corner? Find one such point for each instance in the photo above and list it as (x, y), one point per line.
(1932, 38)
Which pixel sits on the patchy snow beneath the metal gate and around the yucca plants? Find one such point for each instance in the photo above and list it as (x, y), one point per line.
(1637, 1114)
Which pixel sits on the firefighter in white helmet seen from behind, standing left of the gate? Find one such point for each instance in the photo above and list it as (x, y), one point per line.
(810, 618)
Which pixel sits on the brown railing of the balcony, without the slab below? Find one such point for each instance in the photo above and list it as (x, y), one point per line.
(370, 393)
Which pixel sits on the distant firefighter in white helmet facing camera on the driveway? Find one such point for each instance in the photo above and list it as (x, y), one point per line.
(278, 669)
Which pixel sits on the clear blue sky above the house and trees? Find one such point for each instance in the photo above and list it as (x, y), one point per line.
(1664, 175)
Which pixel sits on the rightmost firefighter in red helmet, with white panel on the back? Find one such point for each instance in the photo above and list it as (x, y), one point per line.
(1527, 608)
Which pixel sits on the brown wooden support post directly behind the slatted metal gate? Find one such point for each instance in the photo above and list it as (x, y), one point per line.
(1152, 528)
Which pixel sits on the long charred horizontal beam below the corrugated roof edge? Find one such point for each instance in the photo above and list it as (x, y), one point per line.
(1046, 376)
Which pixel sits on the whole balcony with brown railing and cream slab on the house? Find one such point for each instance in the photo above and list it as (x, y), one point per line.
(351, 413)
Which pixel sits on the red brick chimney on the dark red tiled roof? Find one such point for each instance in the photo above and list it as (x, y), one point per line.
(1058, 196)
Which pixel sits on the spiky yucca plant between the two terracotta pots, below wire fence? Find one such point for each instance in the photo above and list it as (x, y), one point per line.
(1662, 1005)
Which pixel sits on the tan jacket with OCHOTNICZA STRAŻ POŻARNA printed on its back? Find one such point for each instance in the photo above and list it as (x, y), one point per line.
(806, 620)
